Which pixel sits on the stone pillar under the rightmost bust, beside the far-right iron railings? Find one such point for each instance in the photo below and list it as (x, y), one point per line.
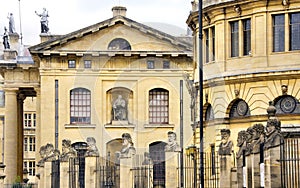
(272, 168)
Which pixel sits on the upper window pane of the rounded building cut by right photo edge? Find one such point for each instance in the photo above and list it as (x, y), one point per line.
(295, 31)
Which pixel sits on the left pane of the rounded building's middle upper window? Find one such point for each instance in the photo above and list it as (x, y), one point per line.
(234, 39)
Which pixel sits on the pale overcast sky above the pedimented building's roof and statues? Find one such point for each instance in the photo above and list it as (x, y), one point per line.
(66, 16)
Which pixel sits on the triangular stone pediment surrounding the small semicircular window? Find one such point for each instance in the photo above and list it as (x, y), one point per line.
(96, 39)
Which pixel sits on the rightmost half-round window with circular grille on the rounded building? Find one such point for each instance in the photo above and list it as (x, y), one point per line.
(287, 104)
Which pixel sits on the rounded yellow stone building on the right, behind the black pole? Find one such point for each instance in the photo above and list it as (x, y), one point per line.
(250, 57)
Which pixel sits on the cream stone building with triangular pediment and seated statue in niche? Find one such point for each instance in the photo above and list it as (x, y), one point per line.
(91, 86)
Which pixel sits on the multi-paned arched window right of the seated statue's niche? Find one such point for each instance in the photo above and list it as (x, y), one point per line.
(158, 106)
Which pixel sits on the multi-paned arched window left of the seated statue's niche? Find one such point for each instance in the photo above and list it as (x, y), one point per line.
(80, 106)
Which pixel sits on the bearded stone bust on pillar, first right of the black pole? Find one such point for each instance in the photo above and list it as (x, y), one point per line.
(225, 147)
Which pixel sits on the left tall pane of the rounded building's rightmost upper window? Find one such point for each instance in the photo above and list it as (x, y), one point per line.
(278, 33)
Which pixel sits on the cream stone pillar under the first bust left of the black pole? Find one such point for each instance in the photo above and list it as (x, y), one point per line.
(172, 165)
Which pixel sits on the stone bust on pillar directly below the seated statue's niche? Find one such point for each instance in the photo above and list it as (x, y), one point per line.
(127, 150)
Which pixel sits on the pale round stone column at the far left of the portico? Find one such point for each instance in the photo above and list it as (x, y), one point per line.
(10, 135)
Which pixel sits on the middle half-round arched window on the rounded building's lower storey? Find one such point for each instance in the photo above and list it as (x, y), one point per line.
(239, 109)
